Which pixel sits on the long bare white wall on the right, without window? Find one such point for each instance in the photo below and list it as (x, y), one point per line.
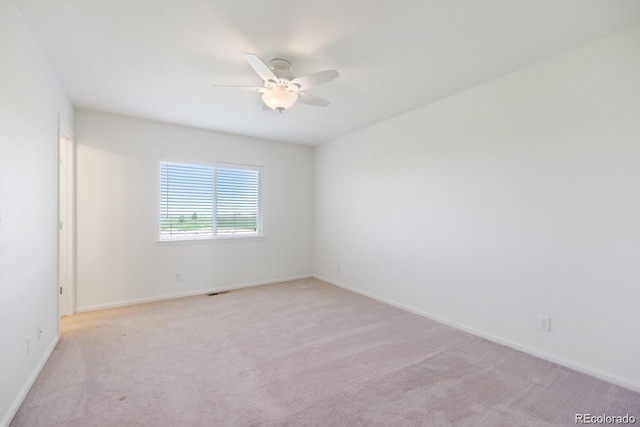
(516, 198)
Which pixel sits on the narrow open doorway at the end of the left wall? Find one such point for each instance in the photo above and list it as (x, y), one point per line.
(66, 226)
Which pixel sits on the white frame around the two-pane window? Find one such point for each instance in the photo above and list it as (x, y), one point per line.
(214, 233)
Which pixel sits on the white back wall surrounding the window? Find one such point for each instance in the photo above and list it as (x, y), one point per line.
(118, 257)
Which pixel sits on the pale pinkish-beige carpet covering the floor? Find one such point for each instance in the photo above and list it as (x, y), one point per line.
(298, 353)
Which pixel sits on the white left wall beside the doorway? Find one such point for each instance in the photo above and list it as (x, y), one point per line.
(31, 100)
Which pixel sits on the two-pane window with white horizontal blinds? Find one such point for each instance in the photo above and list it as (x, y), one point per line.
(206, 202)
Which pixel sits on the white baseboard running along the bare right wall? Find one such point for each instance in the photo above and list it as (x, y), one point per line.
(567, 363)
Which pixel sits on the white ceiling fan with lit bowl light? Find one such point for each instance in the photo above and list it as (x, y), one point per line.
(281, 87)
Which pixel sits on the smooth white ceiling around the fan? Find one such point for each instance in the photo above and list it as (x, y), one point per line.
(158, 59)
